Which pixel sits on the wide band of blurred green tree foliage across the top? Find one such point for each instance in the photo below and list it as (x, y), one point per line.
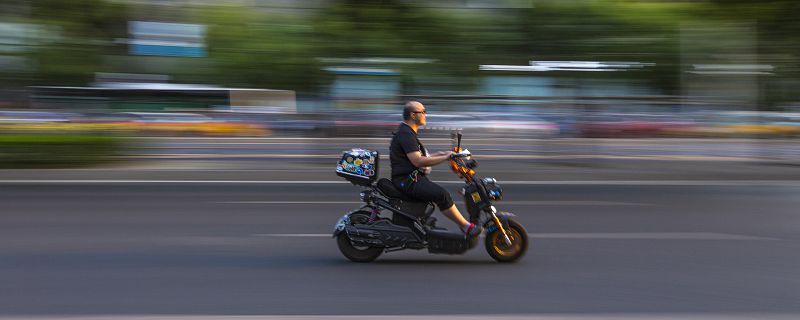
(259, 47)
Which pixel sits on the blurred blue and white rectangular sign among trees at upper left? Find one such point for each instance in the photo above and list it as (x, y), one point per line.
(167, 39)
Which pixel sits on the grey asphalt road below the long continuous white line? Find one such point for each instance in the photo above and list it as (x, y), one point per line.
(226, 248)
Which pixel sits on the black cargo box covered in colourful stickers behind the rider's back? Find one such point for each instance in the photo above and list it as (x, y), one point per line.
(359, 166)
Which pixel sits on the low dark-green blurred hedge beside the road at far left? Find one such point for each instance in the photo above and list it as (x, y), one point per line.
(56, 151)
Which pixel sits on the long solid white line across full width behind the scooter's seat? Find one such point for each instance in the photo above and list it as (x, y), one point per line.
(790, 183)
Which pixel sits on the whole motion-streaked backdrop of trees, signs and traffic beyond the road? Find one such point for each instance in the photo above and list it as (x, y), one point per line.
(608, 69)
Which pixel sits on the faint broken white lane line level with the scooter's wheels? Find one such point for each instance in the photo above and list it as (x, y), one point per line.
(592, 235)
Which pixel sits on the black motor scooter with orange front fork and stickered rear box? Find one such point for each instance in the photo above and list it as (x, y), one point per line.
(362, 235)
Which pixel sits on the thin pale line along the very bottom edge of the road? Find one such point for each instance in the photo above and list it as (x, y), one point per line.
(556, 316)
